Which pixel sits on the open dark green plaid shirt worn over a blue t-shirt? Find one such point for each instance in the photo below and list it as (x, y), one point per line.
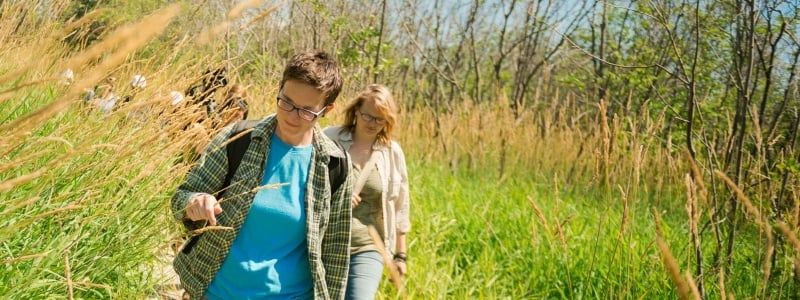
(328, 216)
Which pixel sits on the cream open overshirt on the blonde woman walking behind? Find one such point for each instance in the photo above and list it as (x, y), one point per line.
(391, 164)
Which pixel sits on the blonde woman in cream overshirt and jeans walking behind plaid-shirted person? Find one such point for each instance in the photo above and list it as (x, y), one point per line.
(380, 196)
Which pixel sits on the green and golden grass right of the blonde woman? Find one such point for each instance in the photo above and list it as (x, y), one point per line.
(523, 230)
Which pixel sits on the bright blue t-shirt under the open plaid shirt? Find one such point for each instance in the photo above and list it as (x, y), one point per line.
(269, 258)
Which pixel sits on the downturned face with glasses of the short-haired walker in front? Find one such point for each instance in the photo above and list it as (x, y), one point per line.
(299, 107)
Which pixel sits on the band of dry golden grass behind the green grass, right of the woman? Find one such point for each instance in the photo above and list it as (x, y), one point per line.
(554, 142)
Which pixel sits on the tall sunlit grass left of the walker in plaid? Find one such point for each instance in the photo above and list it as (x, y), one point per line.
(84, 199)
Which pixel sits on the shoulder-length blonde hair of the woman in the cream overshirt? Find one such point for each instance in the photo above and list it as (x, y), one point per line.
(384, 101)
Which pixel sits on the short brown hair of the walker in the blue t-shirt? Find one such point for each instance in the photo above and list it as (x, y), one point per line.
(318, 69)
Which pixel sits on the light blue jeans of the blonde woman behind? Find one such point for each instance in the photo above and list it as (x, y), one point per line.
(366, 269)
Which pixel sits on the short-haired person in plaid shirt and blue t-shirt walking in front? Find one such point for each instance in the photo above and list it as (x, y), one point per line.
(282, 234)
